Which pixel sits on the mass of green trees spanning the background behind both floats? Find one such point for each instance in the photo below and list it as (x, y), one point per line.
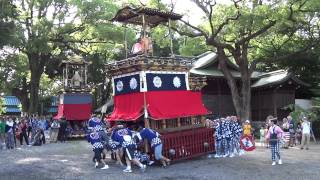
(35, 35)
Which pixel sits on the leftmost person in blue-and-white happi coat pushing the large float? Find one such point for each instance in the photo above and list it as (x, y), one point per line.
(97, 147)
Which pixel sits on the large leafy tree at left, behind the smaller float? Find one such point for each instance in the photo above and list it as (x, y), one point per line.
(48, 30)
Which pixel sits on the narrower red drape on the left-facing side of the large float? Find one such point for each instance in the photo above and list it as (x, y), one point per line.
(127, 107)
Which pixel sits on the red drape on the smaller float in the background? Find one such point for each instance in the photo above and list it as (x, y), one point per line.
(74, 111)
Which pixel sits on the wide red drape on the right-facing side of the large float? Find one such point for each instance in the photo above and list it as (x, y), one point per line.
(173, 104)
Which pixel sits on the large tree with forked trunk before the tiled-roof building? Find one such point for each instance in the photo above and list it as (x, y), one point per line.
(233, 31)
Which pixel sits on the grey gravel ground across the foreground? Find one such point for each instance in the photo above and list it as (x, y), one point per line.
(72, 160)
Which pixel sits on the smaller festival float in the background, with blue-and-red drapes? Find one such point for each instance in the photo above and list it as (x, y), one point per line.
(75, 99)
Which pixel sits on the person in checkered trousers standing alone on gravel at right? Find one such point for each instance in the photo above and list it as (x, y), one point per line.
(274, 135)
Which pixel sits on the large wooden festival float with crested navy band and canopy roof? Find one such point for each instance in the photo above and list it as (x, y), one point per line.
(159, 92)
